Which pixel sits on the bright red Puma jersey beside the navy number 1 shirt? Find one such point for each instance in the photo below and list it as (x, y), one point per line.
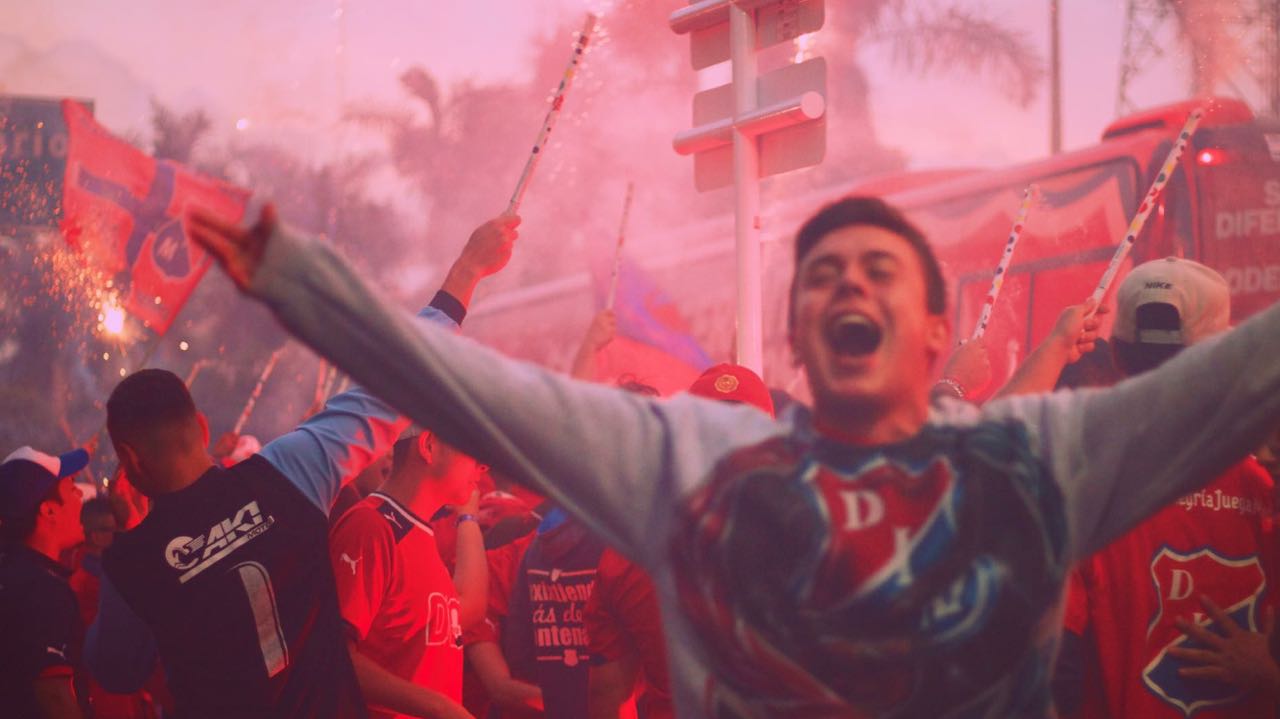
(396, 596)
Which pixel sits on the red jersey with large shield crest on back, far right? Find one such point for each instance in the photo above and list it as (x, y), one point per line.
(1217, 543)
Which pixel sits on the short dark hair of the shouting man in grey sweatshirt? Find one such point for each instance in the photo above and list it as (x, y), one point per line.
(875, 213)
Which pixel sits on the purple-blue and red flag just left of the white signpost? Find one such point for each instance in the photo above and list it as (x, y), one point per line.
(655, 344)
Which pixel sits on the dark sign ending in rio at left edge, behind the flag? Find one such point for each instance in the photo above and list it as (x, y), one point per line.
(33, 161)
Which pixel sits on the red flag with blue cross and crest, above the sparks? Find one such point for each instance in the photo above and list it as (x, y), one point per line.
(125, 212)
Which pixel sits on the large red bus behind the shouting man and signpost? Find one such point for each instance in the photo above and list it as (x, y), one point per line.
(1222, 208)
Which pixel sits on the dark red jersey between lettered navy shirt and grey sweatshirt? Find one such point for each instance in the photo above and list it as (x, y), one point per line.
(623, 619)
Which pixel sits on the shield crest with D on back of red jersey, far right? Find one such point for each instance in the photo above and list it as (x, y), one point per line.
(1235, 584)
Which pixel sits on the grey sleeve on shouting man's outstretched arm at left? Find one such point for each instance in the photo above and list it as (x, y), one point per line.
(615, 460)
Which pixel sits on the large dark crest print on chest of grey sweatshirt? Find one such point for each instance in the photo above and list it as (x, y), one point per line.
(897, 581)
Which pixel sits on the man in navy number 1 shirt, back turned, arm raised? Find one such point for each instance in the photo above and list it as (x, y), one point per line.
(230, 573)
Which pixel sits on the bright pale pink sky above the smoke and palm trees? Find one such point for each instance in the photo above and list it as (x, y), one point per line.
(280, 68)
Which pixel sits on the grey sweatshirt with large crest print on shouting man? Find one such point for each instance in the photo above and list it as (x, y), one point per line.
(801, 576)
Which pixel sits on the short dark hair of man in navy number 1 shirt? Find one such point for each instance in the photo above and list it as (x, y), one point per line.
(148, 406)
